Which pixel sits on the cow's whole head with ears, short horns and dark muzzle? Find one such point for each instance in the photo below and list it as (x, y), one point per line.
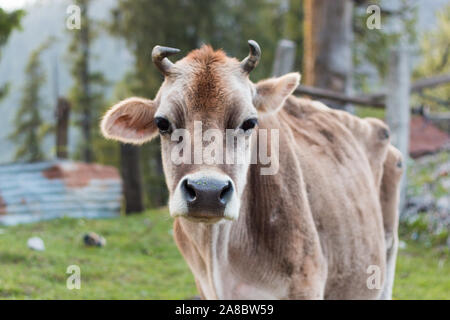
(205, 112)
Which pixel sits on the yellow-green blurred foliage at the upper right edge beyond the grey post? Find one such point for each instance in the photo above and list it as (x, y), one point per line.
(435, 49)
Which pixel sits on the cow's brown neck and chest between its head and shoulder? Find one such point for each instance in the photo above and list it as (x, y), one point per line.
(274, 215)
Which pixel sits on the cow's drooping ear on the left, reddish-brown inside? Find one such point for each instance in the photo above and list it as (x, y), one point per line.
(130, 121)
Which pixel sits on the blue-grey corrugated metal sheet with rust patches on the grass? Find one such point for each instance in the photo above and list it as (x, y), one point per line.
(46, 190)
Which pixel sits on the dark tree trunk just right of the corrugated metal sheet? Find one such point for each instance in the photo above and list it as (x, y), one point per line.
(131, 176)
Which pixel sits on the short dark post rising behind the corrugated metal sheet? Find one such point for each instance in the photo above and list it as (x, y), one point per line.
(62, 126)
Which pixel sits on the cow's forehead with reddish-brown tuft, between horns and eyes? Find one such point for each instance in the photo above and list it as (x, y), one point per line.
(207, 81)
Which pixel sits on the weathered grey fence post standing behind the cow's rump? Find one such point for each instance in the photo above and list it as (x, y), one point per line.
(397, 107)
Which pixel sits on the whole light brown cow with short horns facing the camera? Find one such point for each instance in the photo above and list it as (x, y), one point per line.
(323, 226)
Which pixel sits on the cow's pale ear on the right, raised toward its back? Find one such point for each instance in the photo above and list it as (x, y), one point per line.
(272, 93)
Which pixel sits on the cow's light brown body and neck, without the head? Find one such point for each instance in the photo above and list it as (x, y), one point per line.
(313, 230)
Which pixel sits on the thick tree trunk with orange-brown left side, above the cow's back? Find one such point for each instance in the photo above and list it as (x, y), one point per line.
(328, 38)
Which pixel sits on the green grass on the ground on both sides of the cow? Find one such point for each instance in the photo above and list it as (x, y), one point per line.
(141, 261)
